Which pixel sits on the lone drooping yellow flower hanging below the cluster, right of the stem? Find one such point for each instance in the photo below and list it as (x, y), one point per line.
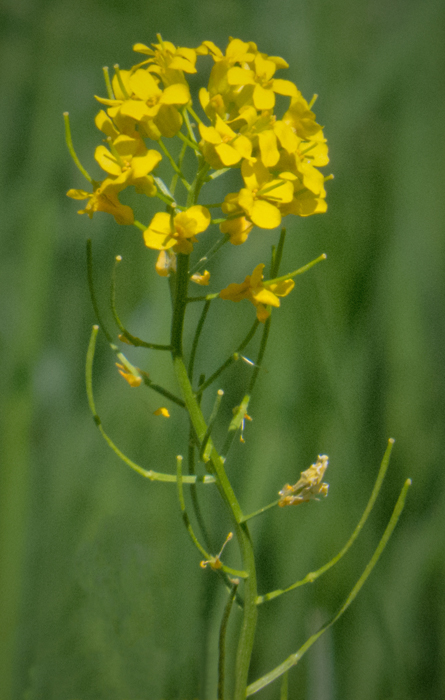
(259, 293)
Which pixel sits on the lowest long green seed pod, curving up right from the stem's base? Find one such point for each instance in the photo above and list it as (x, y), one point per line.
(295, 658)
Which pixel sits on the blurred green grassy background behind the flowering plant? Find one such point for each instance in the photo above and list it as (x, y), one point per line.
(101, 595)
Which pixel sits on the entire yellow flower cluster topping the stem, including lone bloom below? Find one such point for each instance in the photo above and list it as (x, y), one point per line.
(278, 158)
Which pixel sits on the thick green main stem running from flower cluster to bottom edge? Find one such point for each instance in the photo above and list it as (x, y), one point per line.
(216, 465)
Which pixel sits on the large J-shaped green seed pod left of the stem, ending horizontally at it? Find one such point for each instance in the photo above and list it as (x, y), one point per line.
(147, 473)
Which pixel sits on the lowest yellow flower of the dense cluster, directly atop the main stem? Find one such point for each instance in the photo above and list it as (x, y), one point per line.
(166, 231)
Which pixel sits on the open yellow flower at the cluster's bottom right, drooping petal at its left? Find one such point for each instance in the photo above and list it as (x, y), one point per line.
(259, 202)
